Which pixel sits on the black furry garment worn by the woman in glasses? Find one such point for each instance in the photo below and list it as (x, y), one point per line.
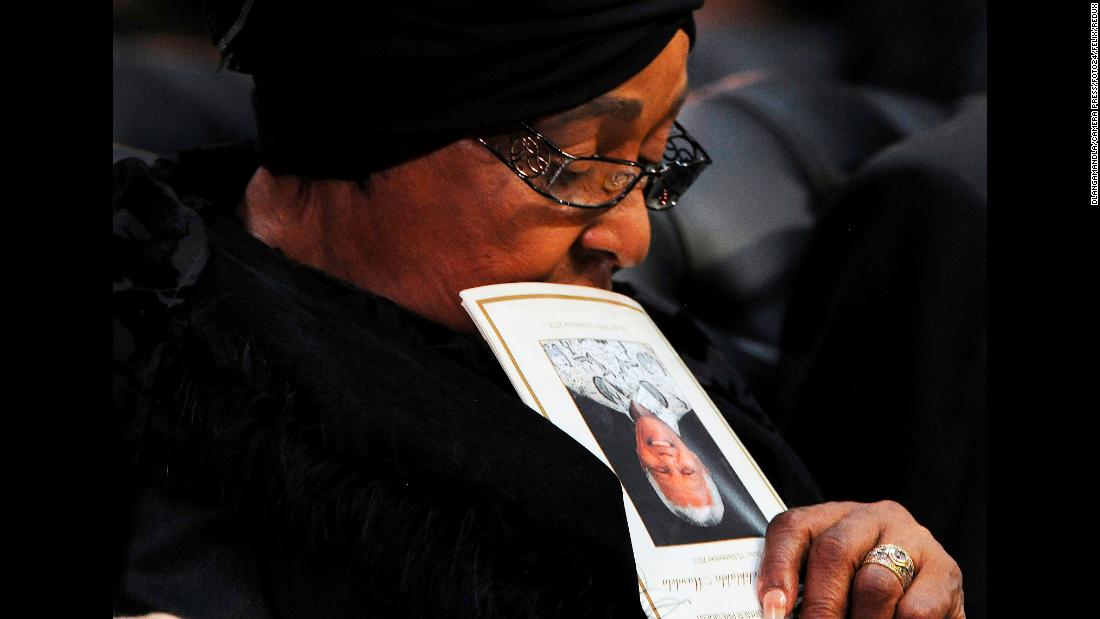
(291, 446)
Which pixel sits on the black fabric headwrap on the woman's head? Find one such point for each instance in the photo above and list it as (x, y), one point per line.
(347, 89)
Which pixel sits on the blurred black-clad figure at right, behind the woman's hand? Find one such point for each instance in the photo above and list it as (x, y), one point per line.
(885, 341)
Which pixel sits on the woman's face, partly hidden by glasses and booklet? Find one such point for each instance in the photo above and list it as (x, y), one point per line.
(459, 218)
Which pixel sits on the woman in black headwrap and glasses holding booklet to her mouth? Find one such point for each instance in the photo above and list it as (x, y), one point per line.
(312, 427)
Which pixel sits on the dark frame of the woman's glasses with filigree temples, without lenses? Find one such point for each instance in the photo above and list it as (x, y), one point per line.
(701, 160)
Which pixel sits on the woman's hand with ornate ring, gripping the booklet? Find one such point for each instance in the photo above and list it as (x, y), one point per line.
(832, 540)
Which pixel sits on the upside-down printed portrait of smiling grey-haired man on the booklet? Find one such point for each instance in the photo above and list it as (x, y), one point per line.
(677, 478)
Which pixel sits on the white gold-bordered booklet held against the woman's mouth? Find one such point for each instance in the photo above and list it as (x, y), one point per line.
(595, 364)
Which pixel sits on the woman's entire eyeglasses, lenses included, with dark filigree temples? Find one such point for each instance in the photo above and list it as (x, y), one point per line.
(597, 183)
